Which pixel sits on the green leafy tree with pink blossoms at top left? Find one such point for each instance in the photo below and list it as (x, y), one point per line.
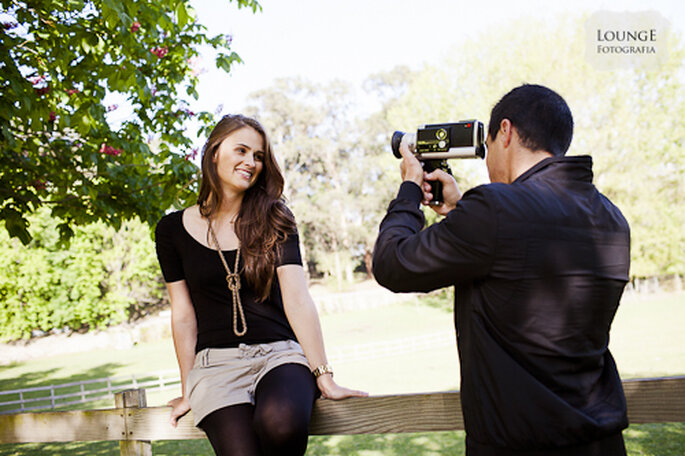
(59, 146)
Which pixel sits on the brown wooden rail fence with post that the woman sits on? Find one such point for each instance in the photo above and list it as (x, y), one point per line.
(135, 425)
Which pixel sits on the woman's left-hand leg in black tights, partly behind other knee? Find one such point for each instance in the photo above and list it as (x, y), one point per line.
(231, 432)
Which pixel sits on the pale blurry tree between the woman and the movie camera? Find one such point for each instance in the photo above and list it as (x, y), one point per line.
(318, 139)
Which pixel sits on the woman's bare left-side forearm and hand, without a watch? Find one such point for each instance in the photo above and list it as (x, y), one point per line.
(184, 333)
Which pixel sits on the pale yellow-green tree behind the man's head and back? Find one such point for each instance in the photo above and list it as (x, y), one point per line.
(629, 120)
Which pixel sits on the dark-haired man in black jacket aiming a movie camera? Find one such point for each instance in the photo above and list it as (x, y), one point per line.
(539, 259)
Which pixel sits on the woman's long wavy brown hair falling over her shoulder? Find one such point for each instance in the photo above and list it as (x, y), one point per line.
(263, 221)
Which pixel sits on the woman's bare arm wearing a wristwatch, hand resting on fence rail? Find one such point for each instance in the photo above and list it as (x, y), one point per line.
(304, 319)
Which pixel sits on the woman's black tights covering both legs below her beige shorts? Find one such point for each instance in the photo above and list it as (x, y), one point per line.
(278, 423)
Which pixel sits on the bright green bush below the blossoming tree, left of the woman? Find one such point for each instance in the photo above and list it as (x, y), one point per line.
(103, 277)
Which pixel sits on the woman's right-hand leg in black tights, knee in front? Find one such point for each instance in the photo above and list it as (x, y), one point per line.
(283, 408)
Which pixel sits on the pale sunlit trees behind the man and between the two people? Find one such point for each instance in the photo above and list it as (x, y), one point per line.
(342, 175)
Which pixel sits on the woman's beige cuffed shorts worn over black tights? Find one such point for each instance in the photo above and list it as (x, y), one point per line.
(229, 376)
